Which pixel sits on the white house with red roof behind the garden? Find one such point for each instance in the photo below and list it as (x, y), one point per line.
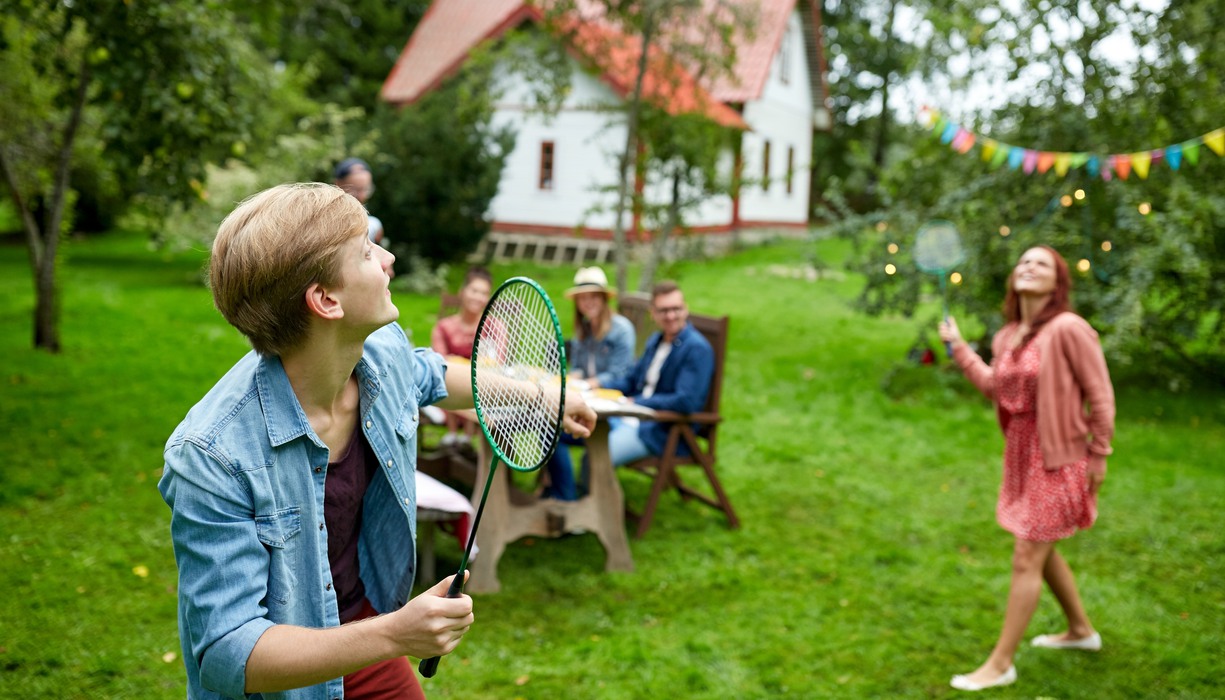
(562, 167)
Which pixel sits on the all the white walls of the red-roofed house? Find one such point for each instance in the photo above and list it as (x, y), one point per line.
(589, 135)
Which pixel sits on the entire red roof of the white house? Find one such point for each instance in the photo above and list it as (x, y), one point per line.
(451, 29)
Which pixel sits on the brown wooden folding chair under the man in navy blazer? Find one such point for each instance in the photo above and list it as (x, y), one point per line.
(703, 443)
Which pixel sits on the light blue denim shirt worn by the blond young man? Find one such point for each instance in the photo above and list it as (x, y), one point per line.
(244, 480)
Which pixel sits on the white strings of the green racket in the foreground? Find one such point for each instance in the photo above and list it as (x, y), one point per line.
(519, 341)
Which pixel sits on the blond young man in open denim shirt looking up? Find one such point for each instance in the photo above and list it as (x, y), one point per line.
(292, 482)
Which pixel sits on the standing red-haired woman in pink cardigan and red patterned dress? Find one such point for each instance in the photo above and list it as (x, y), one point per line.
(1048, 365)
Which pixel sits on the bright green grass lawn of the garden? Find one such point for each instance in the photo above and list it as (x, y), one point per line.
(869, 565)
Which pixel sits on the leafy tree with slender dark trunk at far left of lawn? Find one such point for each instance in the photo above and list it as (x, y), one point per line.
(157, 89)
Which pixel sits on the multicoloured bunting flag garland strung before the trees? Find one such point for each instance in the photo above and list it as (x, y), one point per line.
(1030, 161)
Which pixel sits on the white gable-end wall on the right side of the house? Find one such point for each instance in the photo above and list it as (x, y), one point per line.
(783, 118)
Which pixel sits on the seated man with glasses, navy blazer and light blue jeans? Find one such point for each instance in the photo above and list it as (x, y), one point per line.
(673, 375)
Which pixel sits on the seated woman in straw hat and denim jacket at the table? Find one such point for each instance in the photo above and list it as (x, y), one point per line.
(601, 351)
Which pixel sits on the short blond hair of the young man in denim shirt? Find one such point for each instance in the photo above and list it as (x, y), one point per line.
(270, 249)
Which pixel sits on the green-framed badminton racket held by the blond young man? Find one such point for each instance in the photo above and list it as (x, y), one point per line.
(519, 388)
